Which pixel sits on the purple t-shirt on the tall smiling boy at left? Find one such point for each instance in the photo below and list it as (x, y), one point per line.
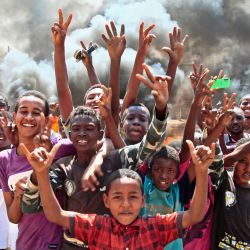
(35, 231)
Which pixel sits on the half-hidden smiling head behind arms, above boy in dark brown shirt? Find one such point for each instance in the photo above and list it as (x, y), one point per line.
(92, 95)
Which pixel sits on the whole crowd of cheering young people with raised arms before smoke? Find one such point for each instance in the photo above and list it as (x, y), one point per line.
(109, 181)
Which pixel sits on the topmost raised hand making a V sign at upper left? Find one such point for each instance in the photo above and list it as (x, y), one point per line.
(59, 29)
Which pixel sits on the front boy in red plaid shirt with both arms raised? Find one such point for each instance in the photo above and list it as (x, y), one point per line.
(124, 198)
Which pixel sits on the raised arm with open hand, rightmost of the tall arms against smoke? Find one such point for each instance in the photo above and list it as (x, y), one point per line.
(175, 52)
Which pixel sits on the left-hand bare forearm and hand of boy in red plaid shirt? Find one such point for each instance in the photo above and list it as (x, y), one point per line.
(40, 161)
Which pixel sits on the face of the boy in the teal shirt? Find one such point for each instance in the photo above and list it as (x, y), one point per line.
(164, 172)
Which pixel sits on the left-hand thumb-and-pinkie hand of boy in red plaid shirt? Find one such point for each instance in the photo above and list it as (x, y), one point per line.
(40, 159)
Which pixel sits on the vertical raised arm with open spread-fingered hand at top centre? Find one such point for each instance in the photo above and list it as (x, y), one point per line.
(116, 45)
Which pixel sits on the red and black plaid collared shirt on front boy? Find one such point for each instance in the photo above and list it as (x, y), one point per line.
(104, 232)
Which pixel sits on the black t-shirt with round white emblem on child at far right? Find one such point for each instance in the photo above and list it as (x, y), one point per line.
(231, 229)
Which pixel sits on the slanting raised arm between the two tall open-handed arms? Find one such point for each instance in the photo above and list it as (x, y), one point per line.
(145, 40)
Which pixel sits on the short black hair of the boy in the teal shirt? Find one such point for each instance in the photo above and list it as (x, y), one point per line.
(165, 152)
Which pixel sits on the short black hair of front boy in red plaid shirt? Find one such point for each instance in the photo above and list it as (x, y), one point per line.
(121, 173)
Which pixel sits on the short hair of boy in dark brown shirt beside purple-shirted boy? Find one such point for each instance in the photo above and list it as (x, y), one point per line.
(86, 111)
